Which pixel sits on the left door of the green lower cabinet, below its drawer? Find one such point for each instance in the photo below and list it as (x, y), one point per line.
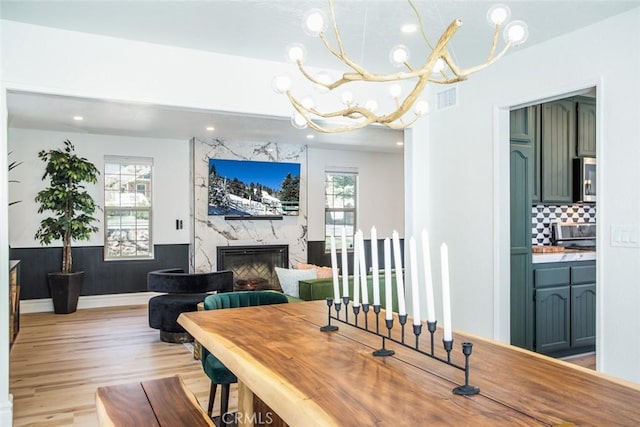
(553, 331)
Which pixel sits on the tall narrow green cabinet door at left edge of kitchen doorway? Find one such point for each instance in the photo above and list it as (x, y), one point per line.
(521, 287)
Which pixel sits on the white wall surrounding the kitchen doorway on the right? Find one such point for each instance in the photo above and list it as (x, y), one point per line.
(468, 180)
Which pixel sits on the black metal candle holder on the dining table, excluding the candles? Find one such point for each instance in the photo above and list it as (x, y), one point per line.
(465, 390)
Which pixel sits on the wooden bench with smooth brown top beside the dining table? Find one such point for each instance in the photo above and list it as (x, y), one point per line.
(165, 402)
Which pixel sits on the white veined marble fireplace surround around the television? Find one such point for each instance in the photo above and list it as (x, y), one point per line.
(213, 232)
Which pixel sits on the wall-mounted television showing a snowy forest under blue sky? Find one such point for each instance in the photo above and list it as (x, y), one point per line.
(250, 188)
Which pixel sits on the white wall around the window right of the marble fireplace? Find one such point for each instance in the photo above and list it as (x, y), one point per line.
(381, 189)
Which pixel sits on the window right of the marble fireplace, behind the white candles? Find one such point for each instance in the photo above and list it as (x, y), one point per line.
(340, 193)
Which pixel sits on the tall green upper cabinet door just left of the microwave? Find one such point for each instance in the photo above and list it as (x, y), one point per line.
(557, 147)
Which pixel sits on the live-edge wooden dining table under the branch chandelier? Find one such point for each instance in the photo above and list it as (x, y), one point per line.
(306, 377)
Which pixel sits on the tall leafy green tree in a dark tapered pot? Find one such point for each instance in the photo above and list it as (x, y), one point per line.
(72, 218)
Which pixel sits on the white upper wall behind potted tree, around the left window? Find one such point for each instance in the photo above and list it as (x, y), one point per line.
(170, 192)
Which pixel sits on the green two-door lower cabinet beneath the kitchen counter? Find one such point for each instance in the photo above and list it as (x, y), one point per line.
(565, 307)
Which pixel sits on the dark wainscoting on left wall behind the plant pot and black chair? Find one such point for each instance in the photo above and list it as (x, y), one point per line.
(100, 277)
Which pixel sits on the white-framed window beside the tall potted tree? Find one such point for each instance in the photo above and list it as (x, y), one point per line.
(127, 208)
